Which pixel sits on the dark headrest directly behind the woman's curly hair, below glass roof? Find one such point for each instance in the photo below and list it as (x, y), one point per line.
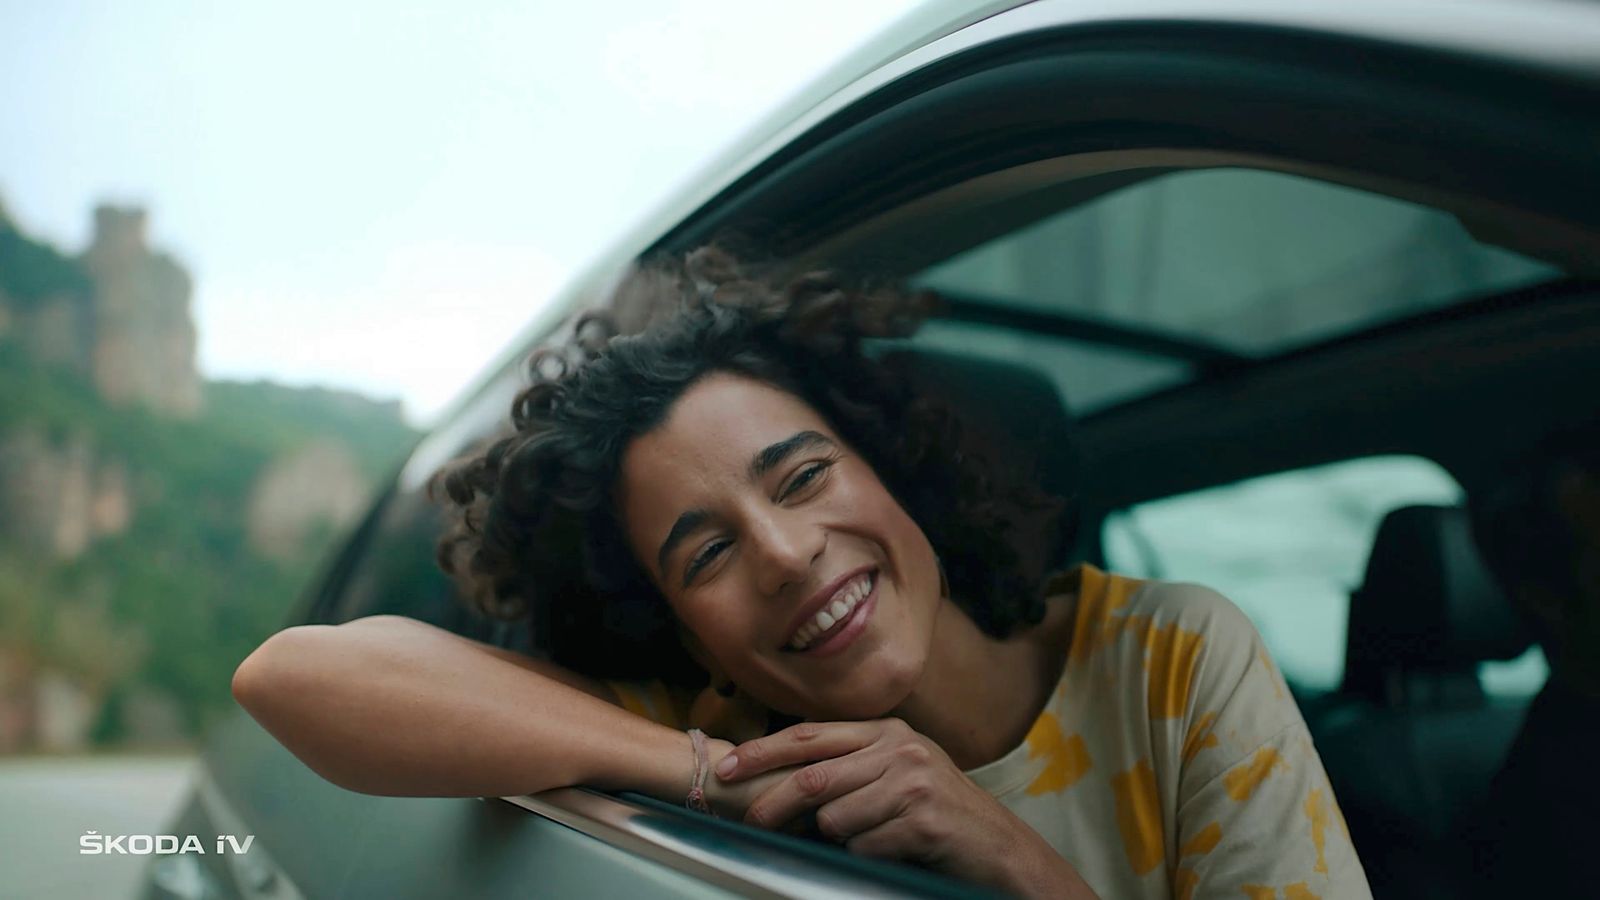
(1014, 416)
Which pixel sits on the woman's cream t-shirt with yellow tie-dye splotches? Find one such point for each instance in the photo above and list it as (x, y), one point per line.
(1170, 761)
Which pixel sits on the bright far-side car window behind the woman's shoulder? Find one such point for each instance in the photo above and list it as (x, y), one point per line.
(1289, 550)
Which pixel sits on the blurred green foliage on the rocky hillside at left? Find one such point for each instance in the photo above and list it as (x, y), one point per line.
(178, 598)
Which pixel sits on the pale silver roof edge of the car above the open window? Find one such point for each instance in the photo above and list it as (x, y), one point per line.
(1551, 38)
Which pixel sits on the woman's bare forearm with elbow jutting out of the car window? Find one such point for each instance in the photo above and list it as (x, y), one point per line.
(390, 707)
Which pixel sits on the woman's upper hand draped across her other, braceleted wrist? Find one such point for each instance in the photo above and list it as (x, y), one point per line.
(887, 792)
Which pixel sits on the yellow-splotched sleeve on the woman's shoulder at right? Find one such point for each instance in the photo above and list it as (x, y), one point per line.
(1257, 818)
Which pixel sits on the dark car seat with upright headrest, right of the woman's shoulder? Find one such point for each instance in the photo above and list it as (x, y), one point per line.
(1417, 742)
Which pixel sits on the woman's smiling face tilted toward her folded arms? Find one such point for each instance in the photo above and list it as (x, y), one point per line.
(782, 552)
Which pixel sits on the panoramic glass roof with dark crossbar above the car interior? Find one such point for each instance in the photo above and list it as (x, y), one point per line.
(1158, 281)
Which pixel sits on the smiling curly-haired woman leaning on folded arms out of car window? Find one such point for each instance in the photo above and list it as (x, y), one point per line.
(740, 523)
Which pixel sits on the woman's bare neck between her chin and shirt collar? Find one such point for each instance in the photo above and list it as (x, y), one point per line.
(978, 696)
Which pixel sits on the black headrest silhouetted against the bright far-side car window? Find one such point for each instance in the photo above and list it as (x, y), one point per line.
(1428, 603)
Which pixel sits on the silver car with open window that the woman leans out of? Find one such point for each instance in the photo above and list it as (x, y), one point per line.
(1287, 271)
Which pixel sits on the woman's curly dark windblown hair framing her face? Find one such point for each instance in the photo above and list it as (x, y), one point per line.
(535, 528)
